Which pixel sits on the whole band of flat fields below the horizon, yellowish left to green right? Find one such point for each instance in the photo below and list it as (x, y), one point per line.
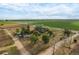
(66, 24)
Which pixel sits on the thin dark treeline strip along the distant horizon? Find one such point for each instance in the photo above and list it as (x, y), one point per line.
(38, 19)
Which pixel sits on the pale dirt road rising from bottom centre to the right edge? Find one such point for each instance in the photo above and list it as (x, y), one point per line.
(49, 51)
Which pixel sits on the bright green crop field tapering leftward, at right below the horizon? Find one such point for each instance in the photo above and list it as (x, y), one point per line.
(61, 24)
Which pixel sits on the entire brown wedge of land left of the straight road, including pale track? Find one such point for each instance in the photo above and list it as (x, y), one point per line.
(7, 44)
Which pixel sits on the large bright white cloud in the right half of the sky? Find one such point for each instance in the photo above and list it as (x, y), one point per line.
(56, 10)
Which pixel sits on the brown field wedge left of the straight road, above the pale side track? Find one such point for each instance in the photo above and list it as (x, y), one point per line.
(5, 40)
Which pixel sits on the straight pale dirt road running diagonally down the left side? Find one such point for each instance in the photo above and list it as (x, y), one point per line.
(18, 44)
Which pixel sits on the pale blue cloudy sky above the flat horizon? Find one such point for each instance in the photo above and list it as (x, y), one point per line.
(39, 11)
